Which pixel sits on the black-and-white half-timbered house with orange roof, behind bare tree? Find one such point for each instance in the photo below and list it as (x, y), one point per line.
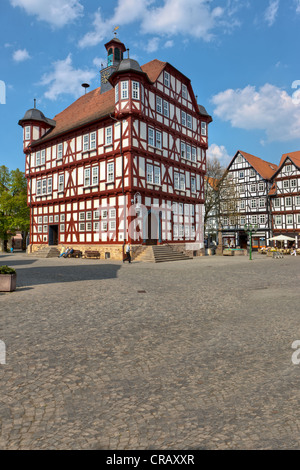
(251, 179)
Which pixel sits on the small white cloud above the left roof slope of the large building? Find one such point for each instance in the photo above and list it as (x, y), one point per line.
(65, 79)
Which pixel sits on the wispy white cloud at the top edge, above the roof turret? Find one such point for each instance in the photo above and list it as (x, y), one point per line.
(196, 18)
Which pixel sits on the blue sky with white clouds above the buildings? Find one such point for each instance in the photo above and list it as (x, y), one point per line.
(242, 57)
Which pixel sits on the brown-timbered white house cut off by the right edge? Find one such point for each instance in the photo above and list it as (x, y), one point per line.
(285, 197)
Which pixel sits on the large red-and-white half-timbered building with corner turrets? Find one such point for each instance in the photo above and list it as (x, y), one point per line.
(123, 163)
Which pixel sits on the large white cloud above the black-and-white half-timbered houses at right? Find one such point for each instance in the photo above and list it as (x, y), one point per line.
(269, 109)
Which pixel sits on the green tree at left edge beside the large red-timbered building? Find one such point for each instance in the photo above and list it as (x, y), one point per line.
(14, 212)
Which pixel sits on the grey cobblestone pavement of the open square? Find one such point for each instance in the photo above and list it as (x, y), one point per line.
(185, 355)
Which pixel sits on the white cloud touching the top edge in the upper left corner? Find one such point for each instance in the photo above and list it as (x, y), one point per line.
(55, 12)
